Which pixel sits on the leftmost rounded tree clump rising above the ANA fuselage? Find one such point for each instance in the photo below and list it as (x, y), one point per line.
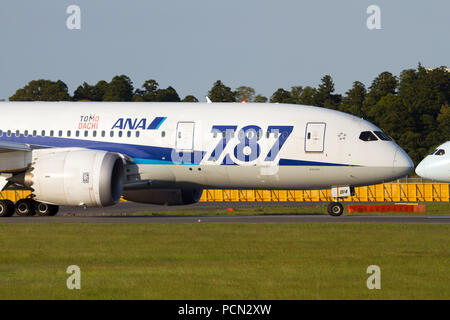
(42, 90)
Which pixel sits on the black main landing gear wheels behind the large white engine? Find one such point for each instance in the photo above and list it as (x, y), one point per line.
(26, 208)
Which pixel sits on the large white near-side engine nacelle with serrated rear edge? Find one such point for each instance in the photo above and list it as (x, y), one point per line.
(81, 177)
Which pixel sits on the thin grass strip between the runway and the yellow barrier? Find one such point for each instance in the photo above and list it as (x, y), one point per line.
(434, 208)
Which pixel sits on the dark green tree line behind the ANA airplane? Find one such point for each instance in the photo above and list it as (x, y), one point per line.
(413, 108)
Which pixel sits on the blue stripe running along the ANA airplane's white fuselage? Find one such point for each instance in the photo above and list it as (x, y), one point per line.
(141, 154)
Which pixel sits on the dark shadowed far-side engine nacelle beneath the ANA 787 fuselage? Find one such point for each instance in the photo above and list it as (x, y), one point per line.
(170, 197)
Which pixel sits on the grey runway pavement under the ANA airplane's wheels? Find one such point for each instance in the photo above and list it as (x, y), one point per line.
(122, 213)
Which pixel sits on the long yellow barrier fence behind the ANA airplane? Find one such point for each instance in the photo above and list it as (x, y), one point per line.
(396, 192)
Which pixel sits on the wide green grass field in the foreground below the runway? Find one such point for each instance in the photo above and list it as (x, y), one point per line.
(224, 261)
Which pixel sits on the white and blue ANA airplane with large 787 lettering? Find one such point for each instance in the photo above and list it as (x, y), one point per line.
(90, 153)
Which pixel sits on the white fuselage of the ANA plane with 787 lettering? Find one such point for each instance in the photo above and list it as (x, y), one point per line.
(218, 145)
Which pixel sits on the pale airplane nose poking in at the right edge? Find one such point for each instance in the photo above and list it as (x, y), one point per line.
(436, 165)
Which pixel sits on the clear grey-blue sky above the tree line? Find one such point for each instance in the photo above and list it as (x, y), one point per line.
(189, 44)
